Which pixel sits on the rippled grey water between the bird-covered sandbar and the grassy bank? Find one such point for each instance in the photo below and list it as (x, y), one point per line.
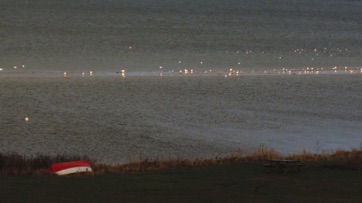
(116, 119)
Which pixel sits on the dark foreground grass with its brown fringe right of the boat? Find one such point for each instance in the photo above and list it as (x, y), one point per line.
(324, 178)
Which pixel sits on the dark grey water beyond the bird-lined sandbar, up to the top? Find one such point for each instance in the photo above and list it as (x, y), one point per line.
(141, 35)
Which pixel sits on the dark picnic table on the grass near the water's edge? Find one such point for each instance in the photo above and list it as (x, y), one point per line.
(284, 165)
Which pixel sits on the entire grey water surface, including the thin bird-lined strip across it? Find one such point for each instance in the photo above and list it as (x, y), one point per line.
(121, 81)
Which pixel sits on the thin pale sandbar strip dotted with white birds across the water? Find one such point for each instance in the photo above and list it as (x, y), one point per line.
(186, 72)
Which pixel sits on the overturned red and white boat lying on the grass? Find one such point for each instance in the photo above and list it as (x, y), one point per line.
(71, 167)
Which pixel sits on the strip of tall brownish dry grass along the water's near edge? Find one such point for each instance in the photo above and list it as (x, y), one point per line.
(15, 164)
